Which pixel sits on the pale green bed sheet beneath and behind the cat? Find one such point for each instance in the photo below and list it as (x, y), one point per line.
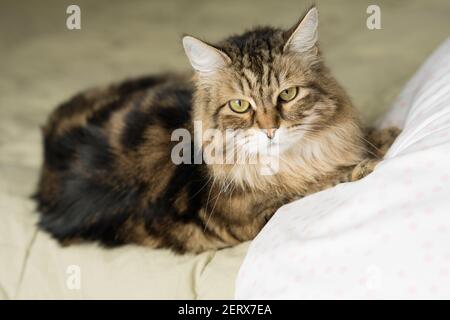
(43, 63)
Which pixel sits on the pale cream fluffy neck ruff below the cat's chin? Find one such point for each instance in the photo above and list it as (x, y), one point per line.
(296, 168)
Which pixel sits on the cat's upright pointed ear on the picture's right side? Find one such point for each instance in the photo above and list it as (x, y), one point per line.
(303, 36)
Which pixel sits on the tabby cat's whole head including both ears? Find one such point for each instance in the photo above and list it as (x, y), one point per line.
(271, 86)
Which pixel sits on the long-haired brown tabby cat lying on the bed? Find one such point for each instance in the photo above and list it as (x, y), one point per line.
(108, 175)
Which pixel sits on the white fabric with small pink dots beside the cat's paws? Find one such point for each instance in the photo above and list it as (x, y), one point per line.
(386, 236)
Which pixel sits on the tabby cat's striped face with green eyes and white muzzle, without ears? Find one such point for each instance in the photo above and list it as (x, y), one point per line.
(270, 104)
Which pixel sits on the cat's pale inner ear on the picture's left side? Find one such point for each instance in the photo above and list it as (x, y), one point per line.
(203, 57)
